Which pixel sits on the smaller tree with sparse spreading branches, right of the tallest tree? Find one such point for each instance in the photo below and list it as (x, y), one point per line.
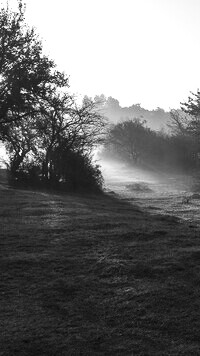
(66, 127)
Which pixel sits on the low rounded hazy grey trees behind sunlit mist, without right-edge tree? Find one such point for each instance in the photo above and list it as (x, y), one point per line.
(136, 143)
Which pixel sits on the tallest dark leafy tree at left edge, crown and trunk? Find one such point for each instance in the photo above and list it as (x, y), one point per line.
(28, 79)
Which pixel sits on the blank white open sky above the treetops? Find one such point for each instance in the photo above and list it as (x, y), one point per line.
(137, 51)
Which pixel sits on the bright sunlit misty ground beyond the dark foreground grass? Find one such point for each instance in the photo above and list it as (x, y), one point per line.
(154, 191)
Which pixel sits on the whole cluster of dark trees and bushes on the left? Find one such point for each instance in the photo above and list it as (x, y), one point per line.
(48, 137)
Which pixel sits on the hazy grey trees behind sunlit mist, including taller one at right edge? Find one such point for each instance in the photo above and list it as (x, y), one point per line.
(179, 149)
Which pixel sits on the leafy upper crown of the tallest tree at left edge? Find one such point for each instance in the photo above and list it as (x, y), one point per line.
(26, 74)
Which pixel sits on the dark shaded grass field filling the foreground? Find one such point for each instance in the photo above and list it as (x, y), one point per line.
(92, 275)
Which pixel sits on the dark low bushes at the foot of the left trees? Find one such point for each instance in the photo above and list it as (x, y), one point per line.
(68, 171)
